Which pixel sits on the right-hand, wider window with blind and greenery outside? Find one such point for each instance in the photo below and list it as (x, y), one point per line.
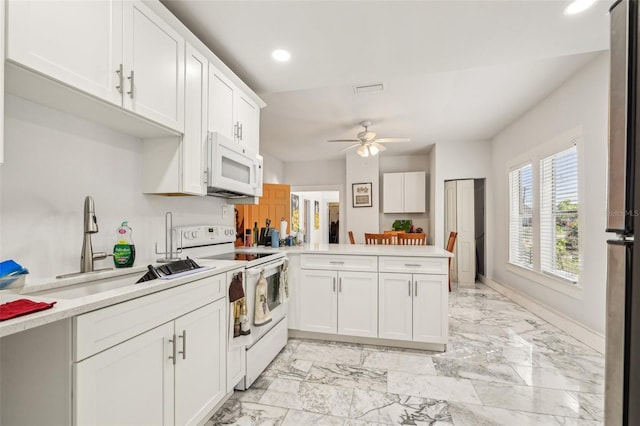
(559, 242)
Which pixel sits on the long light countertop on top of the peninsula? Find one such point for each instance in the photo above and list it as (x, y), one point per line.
(356, 249)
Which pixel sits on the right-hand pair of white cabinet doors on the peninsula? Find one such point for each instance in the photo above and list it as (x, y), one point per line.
(413, 307)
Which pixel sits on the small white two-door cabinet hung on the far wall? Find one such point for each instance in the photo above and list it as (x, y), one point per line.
(404, 192)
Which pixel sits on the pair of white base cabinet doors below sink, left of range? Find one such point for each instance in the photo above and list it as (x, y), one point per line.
(173, 374)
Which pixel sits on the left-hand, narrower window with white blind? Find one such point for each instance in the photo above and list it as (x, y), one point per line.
(521, 217)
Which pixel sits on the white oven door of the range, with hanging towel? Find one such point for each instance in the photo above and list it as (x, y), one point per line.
(277, 308)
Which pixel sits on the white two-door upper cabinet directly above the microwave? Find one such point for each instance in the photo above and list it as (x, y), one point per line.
(232, 113)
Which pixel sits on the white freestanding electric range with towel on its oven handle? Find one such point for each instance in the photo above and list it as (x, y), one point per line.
(216, 242)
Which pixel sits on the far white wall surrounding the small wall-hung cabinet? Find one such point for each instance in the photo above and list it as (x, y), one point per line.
(405, 163)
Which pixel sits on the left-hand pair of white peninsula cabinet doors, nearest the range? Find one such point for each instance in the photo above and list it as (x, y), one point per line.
(339, 302)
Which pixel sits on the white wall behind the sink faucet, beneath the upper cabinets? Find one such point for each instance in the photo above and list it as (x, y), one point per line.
(53, 160)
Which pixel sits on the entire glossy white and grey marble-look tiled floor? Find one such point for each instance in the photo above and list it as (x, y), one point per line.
(503, 366)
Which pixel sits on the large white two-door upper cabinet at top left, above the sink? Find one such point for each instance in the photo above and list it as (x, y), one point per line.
(118, 51)
